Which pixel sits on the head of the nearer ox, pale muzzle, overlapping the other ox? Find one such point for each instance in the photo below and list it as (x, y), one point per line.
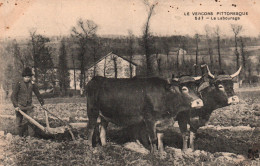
(188, 88)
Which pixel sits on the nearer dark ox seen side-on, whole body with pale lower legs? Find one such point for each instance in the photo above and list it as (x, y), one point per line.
(129, 102)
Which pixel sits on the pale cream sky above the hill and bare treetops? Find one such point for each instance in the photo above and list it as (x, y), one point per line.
(117, 17)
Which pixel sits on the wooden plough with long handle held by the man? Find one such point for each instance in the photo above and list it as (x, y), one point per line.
(57, 130)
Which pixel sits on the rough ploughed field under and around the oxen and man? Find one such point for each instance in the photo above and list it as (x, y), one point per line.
(224, 141)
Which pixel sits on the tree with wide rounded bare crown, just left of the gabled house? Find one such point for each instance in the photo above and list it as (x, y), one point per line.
(83, 33)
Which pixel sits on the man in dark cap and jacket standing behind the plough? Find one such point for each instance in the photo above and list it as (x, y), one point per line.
(22, 99)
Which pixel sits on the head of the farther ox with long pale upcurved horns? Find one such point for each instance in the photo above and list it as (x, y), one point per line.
(221, 88)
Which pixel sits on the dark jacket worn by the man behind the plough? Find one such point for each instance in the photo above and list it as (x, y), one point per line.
(22, 95)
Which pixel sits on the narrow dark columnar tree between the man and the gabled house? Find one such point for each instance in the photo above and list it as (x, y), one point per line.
(63, 73)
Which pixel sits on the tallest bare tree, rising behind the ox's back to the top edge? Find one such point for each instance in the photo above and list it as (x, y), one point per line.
(147, 37)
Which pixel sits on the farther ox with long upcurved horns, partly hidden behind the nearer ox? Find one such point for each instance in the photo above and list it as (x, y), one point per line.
(216, 92)
